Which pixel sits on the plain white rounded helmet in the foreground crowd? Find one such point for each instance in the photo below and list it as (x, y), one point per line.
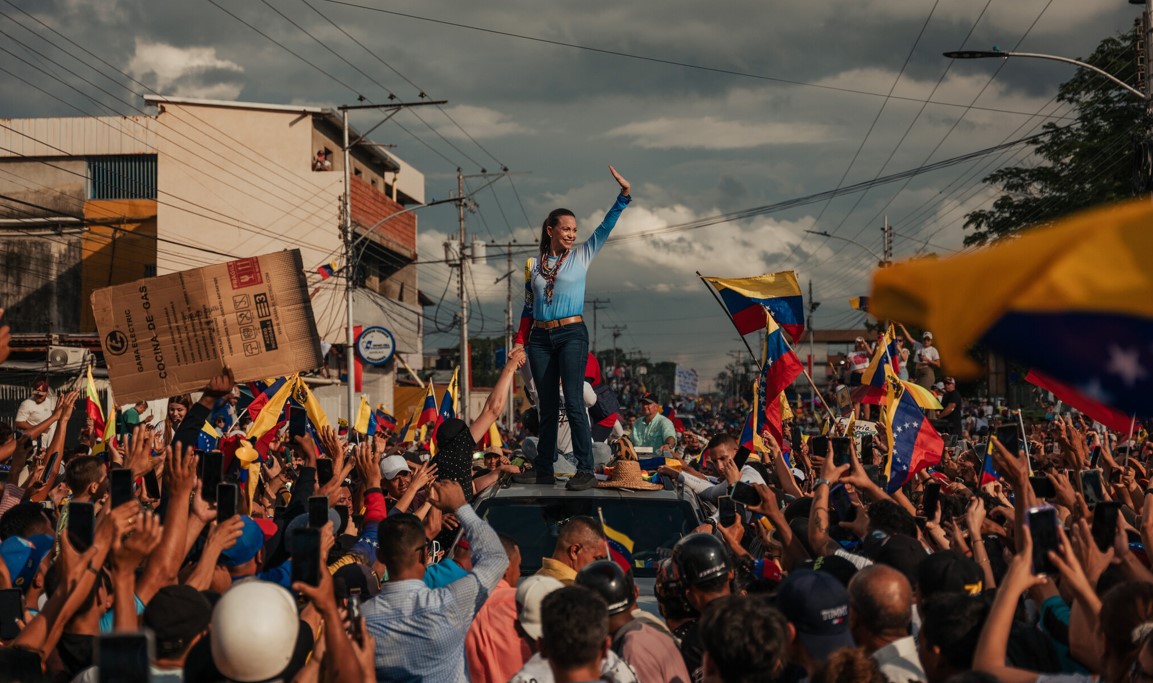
(254, 632)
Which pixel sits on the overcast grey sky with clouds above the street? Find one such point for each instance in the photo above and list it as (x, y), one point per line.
(792, 102)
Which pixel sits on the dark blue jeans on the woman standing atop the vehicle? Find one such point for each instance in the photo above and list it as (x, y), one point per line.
(557, 358)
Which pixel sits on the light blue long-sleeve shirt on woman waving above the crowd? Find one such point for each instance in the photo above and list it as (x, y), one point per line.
(569, 292)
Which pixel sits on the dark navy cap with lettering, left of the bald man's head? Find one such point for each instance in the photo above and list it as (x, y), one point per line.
(817, 605)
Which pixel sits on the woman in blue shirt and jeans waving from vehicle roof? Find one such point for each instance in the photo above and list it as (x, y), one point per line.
(554, 335)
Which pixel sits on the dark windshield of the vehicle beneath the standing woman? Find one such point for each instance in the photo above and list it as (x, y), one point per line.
(654, 526)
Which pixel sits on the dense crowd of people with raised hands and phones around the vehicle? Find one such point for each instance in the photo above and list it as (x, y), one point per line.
(381, 571)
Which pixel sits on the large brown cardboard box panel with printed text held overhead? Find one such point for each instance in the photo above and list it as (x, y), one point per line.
(170, 335)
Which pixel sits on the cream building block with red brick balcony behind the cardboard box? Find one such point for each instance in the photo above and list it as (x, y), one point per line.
(91, 202)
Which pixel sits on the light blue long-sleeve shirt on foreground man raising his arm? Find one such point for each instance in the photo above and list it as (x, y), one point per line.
(420, 632)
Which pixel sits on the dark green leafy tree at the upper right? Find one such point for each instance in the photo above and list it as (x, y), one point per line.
(1097, 160)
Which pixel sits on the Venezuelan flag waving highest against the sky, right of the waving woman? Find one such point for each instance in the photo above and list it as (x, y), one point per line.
(779, 292)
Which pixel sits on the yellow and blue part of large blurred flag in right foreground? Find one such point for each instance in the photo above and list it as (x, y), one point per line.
(1074, 302)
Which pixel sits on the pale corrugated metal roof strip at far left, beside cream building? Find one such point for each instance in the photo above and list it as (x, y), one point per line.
(78, 137)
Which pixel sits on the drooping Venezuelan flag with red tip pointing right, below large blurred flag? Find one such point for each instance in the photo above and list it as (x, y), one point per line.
(914, 445)
